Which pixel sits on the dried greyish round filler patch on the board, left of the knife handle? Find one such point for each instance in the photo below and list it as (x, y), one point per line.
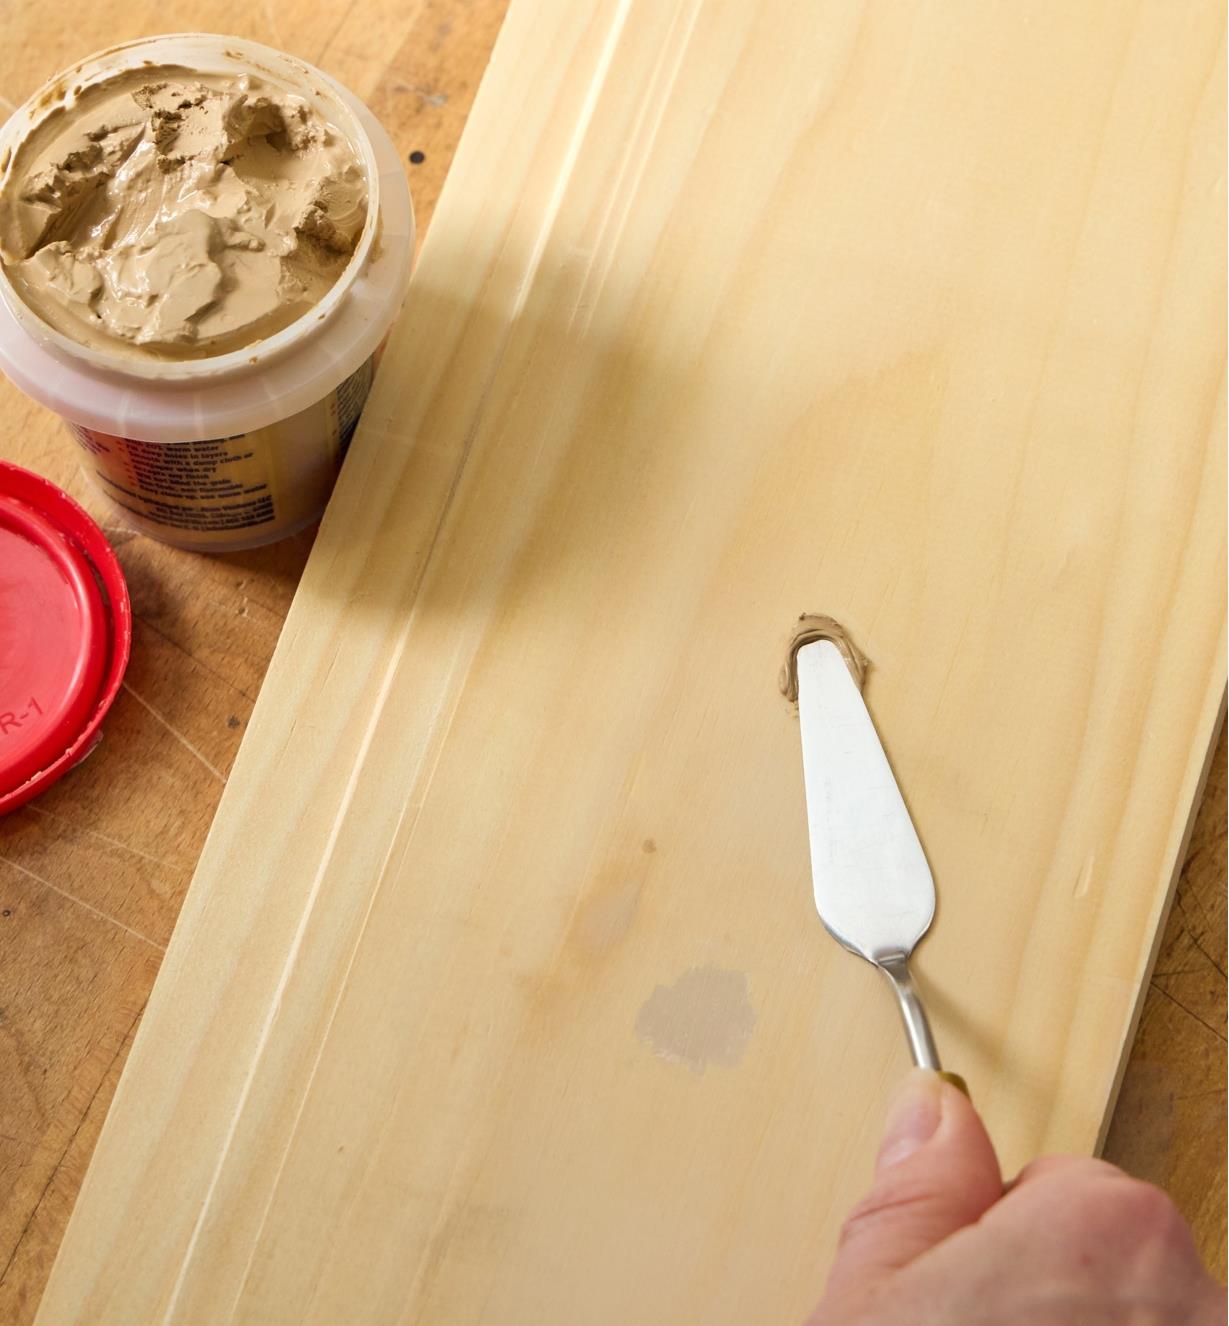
(706, 1019)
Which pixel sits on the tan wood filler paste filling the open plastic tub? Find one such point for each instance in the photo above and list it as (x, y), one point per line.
(177, 215)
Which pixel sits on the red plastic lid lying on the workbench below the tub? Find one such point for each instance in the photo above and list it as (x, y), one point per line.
(66, 633)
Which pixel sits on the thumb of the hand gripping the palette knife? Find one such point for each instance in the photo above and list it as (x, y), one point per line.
(937, 1173)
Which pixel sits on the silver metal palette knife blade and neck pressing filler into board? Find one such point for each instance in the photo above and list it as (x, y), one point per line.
(873, 886)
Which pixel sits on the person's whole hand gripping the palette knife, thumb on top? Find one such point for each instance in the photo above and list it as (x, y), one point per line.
(1071, 1243)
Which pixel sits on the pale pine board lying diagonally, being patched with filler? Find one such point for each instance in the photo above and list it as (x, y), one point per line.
(498, 994)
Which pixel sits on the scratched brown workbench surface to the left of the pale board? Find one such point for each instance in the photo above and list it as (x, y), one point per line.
(112, 849)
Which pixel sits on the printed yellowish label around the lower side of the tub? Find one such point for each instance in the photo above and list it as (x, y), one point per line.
(241, 490)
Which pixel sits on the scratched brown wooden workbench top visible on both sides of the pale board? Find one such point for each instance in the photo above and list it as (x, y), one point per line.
(93, 874)
